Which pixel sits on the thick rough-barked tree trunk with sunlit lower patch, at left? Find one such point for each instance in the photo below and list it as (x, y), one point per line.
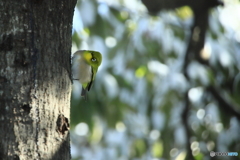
(35, 79)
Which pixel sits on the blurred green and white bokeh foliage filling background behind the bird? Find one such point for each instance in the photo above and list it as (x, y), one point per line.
(135, 107)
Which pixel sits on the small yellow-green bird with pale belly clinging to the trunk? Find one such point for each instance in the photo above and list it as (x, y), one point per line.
(85, 64)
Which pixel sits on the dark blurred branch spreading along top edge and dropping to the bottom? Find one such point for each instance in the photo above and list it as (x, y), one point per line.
(196, 42)
